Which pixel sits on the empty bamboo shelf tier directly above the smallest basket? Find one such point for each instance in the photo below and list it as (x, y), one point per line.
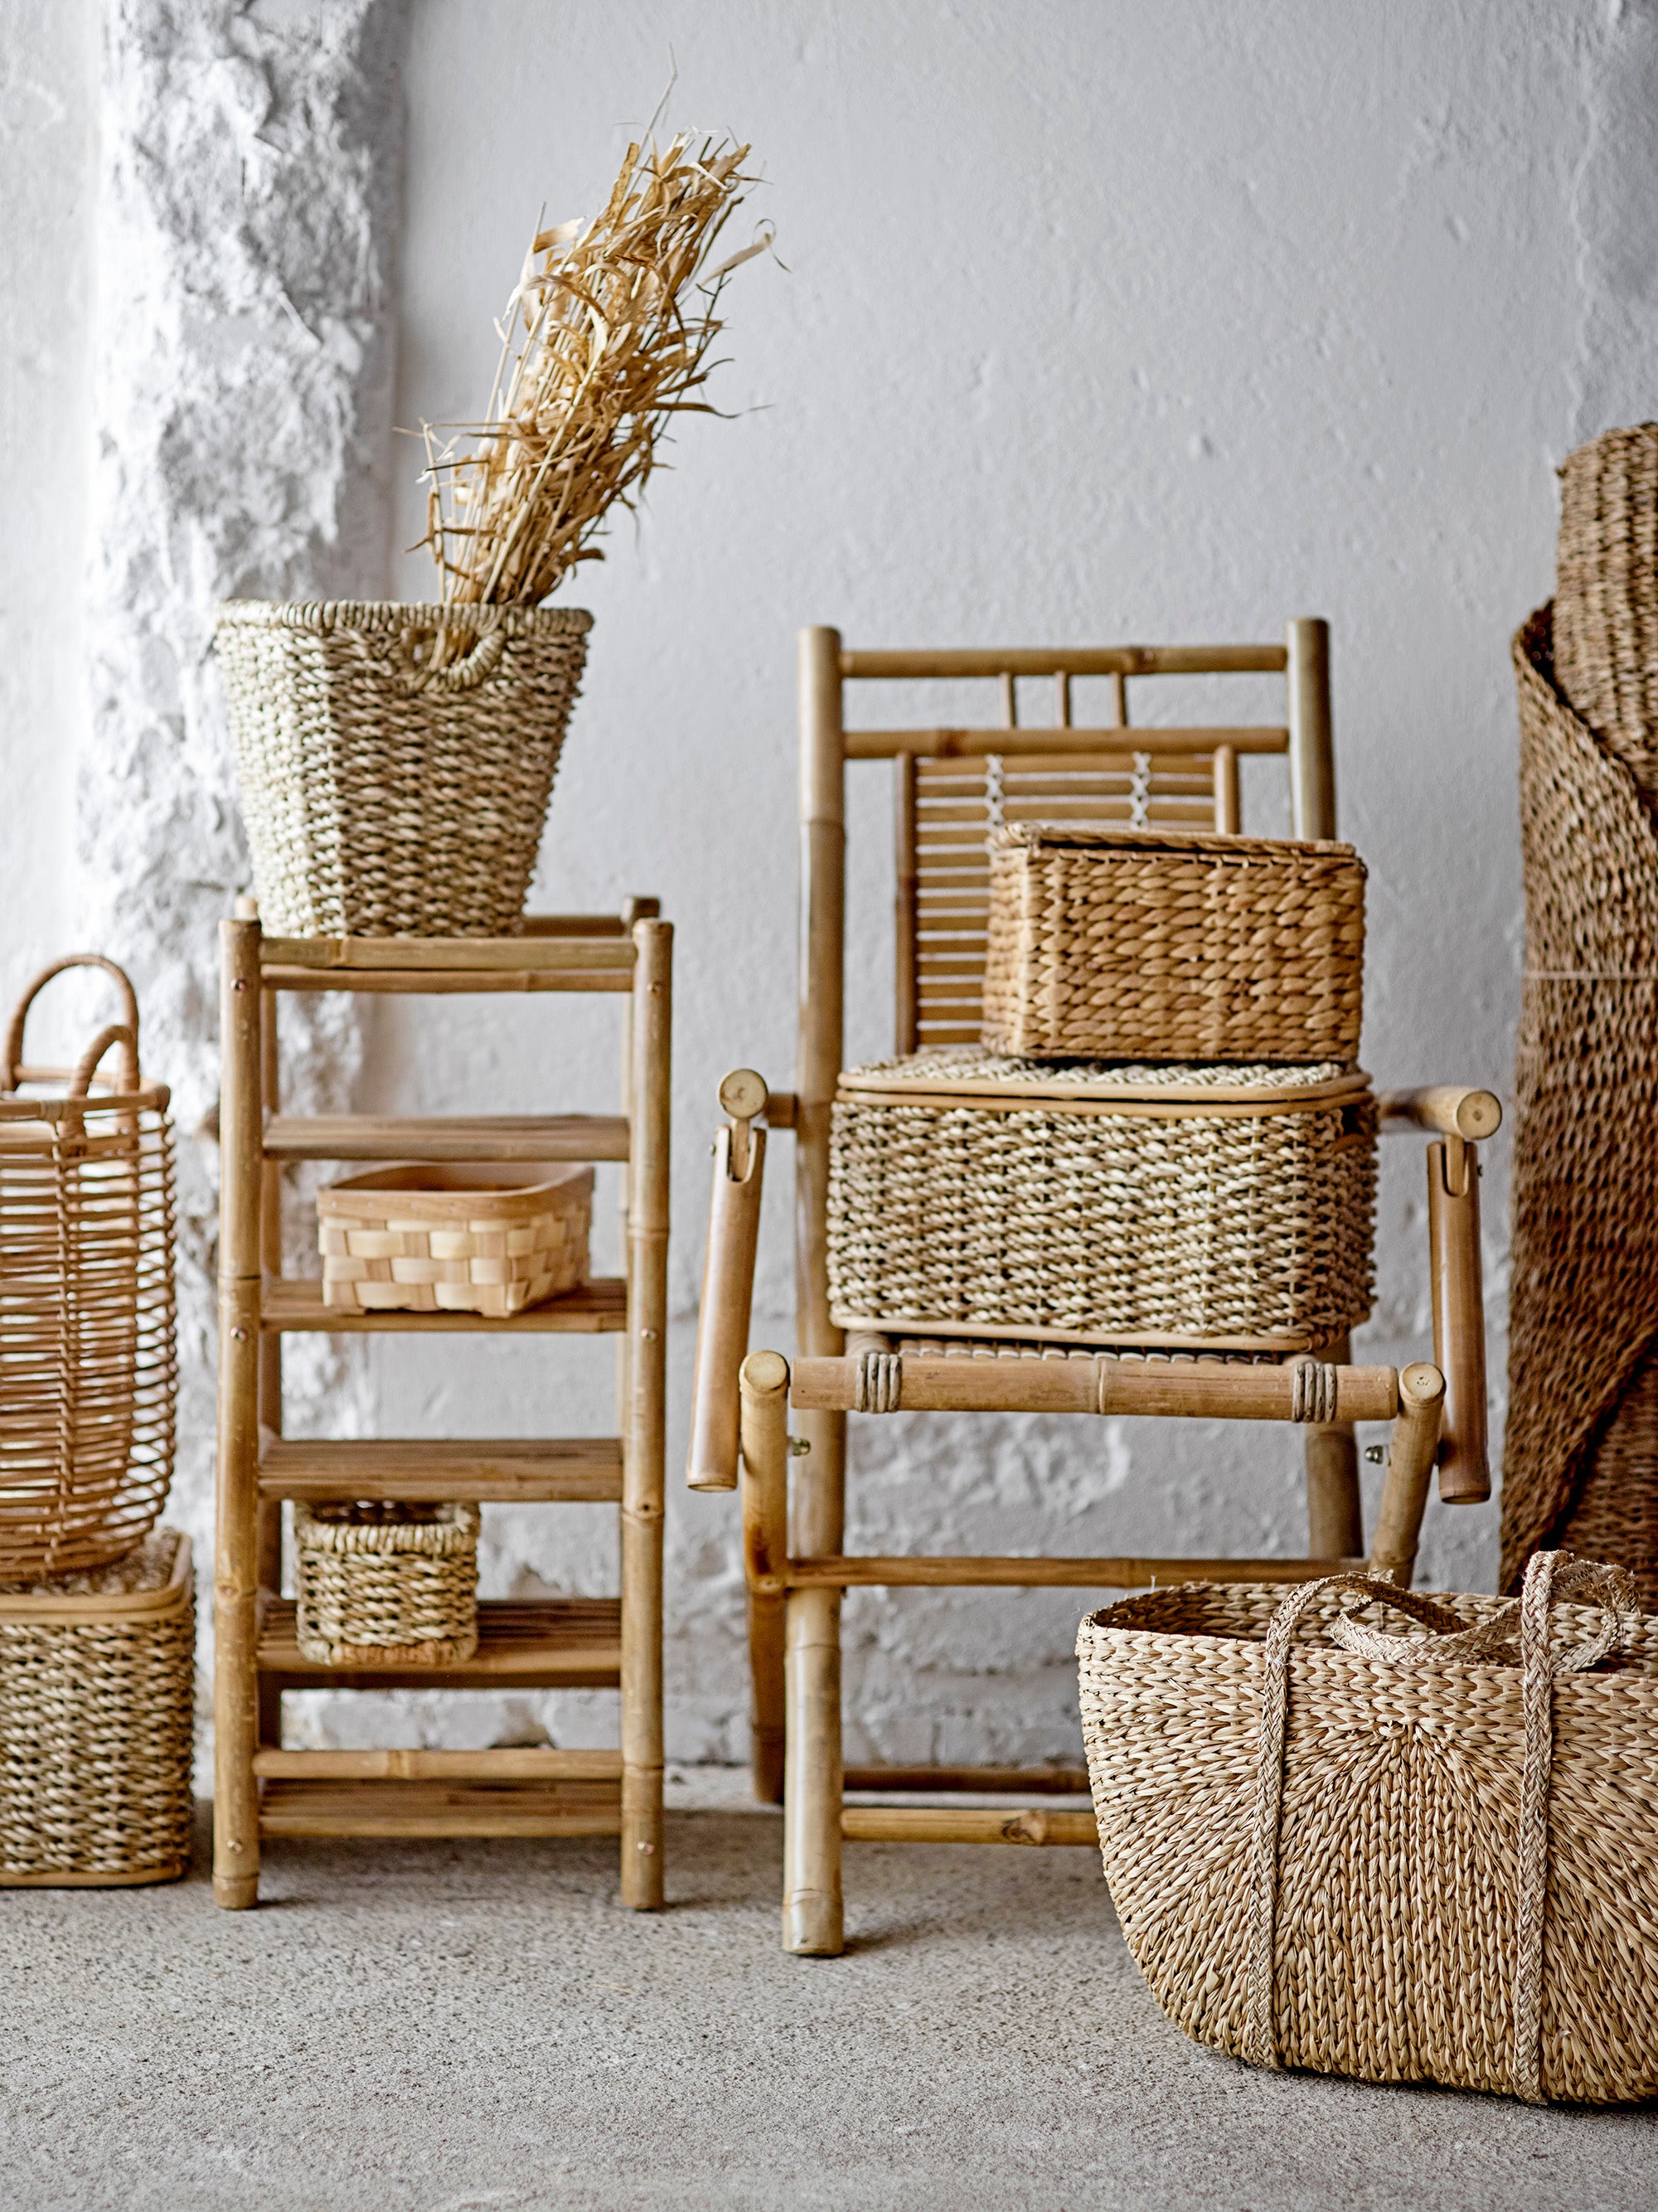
(563, 1470)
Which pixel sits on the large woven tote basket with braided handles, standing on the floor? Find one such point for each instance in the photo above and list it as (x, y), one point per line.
(1396, 1857)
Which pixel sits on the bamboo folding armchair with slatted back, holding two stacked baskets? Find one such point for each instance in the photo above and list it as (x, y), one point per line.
(947, 782)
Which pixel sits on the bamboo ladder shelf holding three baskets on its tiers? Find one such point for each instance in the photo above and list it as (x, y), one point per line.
(545, 1645)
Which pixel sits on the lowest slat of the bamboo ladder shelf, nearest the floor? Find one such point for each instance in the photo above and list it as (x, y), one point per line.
(379, 1808)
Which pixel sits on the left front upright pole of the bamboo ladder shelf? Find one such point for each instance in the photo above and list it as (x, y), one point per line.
(235, 1580)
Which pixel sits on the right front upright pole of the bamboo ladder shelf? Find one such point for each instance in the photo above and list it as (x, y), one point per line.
(644, 1437)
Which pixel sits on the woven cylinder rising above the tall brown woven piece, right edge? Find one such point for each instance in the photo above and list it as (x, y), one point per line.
(1606, 594)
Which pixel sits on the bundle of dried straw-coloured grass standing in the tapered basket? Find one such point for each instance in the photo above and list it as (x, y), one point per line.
(607, 335)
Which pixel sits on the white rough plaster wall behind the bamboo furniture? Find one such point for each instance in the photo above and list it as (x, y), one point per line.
(1098, 322)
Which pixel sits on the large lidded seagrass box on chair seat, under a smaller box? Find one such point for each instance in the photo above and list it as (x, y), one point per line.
(1184, 1207)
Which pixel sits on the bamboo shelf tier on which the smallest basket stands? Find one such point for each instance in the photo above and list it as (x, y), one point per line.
(523, 1645)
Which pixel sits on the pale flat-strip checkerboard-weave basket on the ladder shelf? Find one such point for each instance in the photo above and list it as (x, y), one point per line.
(437, 1240)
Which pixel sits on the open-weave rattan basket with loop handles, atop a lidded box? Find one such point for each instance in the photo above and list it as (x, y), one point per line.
(87, 1308)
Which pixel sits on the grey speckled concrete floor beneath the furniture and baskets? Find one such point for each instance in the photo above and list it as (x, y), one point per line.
(452, 2027)
